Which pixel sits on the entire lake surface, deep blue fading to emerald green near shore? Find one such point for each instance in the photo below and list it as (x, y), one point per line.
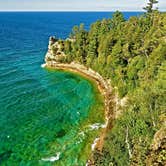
(44, 113)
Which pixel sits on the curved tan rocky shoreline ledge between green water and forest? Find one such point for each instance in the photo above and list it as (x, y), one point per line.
(102, 85)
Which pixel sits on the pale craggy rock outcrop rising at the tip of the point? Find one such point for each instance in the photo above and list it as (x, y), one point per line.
(54, 52)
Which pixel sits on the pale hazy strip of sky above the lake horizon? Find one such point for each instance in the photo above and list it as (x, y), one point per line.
(76, 5)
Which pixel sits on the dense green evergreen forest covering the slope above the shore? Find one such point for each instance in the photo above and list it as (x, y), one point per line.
(132, 55)
